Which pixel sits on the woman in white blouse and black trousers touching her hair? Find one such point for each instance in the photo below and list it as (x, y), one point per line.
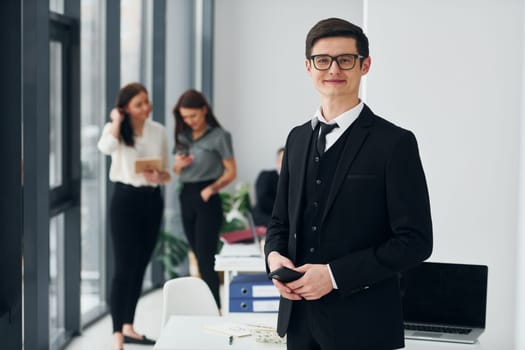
(136, 205)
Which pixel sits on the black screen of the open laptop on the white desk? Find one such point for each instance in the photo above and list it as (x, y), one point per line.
(446, 294)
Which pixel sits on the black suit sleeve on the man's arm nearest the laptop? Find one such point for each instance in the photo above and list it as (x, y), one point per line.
(409, 219)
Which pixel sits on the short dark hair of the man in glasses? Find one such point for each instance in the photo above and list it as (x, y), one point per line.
(332, 27)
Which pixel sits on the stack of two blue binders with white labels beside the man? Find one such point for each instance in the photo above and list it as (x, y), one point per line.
(253, 293)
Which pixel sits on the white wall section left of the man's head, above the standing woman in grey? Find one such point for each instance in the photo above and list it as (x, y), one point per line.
(261, 89)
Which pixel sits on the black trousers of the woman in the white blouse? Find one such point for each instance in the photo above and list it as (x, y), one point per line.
(135, 216)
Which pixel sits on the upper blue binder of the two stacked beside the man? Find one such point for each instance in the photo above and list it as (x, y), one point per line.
(252, 286)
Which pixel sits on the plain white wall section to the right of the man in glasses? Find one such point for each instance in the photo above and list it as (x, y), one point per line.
(453, 75)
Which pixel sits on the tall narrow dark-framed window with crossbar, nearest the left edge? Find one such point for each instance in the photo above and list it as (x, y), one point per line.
(64, 171)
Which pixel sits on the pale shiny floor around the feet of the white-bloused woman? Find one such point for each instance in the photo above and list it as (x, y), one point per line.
(147, 321)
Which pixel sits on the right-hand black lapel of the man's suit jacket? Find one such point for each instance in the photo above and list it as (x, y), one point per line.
(353, 144)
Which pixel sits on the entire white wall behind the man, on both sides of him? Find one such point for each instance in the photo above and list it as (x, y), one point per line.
(451, 71)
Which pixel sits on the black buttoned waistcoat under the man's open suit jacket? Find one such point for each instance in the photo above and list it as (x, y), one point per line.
(318, 180)
